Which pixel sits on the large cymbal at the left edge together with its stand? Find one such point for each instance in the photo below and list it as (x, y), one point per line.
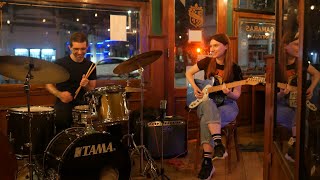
(31, 70)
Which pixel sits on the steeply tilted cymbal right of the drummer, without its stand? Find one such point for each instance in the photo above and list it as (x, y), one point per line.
(134, 63)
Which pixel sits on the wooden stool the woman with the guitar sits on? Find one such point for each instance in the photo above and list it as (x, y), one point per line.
(230, 131)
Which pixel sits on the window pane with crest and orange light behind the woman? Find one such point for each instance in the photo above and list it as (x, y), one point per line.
(197, 16)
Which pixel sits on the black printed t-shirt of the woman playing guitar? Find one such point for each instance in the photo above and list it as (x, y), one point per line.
(204, 63)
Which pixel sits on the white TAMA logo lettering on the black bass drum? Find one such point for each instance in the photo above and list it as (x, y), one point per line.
(93, 149)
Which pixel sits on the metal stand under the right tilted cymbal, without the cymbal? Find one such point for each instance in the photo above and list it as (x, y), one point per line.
(141, 150)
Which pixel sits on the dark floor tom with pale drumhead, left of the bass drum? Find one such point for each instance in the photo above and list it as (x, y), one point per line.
(42, 124)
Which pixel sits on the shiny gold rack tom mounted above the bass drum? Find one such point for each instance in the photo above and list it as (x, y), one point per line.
(112, 105)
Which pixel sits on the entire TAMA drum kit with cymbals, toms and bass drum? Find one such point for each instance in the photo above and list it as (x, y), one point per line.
(94, 143)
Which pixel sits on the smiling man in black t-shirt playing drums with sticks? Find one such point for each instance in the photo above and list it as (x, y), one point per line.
(77, 66)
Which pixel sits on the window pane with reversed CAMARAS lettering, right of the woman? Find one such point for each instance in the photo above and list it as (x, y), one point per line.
(256, 39)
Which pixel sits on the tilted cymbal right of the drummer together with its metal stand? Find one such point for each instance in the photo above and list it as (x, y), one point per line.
(137, 63)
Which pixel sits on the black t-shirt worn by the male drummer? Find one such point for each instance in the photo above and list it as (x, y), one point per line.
(76, 70)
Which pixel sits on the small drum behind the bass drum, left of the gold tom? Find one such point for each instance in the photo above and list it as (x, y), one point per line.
(80, 114)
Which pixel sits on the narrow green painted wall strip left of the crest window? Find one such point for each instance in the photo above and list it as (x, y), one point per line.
(156, 17)
